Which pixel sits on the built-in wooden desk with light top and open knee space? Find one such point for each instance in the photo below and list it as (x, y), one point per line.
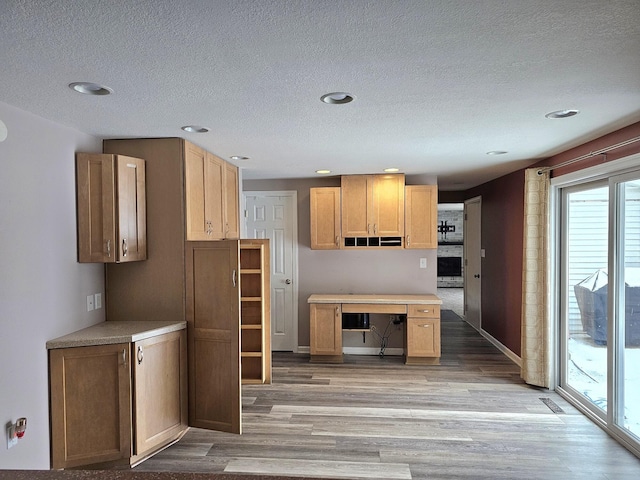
(421, 335)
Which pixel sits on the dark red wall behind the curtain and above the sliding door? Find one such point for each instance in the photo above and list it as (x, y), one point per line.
(502, 234)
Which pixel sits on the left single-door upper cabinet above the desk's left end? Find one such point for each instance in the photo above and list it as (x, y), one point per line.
(325, 218)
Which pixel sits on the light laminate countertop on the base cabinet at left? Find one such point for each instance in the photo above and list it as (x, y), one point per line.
(107, 333)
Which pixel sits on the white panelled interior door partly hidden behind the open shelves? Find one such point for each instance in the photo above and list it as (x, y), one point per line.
(273, 215)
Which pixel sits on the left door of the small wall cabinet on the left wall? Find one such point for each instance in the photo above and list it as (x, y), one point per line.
(96, 208)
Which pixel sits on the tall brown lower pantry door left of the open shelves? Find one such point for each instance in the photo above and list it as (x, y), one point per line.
(213, 333)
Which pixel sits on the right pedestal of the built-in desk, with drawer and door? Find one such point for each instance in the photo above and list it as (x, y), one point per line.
(423, 334)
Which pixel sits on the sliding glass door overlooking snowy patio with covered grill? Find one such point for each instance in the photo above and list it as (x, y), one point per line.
(599, 267)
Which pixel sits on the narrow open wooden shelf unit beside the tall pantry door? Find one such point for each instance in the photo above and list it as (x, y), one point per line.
(255, 311)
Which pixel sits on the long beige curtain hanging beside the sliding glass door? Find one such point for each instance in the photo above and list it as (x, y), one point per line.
(535, 272)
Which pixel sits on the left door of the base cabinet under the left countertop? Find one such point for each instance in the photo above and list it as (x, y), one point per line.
(90, 405)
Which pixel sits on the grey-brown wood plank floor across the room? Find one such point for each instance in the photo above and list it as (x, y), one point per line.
(471, 417)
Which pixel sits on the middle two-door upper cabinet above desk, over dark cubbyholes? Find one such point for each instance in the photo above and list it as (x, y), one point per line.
(373, 205)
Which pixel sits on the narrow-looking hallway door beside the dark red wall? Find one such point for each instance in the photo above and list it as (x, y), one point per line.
(472, 262)
